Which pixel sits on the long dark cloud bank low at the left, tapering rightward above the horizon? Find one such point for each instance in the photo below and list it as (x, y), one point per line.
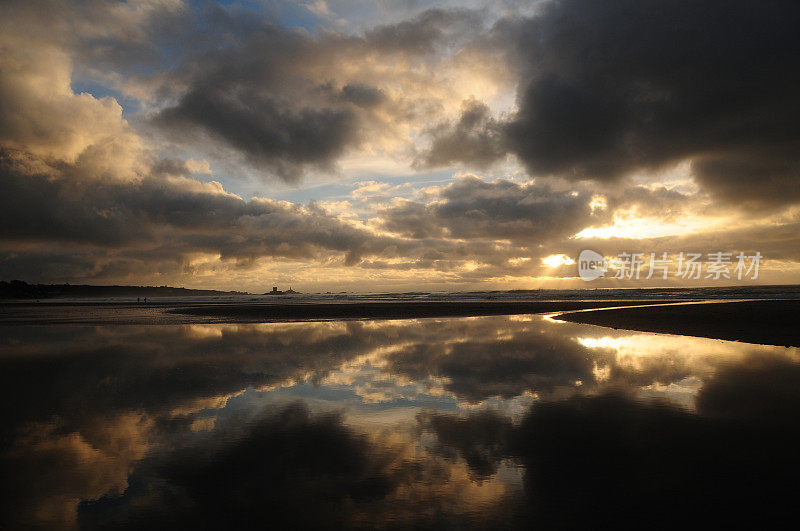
(62, 203)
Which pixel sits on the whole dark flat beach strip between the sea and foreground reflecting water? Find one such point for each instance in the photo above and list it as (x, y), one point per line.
(768, 322)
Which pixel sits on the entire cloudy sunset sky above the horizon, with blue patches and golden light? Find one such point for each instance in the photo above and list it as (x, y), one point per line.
(407, 145)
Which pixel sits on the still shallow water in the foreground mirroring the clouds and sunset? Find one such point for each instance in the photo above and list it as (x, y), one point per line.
(471, 422)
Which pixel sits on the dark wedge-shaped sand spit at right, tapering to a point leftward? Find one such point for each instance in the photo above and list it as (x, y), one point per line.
(764, 322)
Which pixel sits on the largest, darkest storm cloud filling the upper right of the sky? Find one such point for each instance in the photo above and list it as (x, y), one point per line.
(610, 87)
